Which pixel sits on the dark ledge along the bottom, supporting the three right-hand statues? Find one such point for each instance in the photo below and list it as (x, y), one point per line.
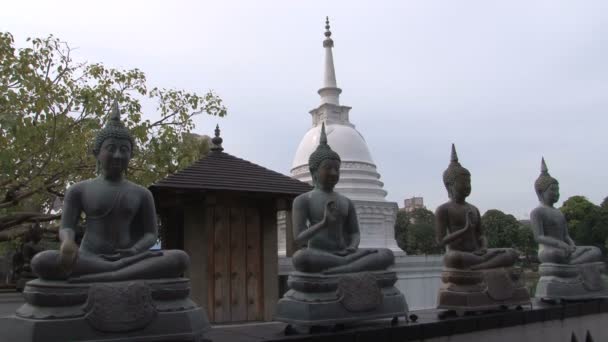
(430, 329)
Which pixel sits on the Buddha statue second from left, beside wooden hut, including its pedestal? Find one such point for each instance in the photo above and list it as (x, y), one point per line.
(335, 281)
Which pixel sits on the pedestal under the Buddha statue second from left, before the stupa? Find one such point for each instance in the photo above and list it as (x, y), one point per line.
(316, 299)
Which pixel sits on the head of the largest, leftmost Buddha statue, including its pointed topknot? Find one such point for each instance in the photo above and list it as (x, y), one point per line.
(113, 147)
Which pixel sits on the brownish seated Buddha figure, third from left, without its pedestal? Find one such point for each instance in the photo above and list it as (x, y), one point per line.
(458, 226)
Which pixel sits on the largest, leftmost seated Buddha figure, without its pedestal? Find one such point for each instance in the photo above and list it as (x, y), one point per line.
(120, 219)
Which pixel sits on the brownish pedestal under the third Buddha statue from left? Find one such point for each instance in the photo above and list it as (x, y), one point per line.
(464, 290)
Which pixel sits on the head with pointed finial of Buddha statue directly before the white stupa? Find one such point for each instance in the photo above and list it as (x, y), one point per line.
(324, 164)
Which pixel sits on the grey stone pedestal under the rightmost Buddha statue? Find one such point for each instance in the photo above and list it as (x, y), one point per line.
(571, 282)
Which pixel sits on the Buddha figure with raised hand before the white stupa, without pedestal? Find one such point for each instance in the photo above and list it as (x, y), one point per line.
(326, 222)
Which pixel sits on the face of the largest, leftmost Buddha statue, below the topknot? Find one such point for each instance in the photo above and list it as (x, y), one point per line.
(113, 156)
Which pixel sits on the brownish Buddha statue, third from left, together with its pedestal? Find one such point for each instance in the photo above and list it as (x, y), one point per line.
(475, 277)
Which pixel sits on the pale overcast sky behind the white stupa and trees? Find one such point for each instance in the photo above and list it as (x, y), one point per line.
(507, 82)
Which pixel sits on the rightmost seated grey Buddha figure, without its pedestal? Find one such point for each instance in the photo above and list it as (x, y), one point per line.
(550, 228)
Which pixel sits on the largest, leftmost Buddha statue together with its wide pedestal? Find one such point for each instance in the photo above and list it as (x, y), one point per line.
(113, 286)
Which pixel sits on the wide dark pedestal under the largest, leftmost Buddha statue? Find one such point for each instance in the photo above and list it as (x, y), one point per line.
(150, 310)
